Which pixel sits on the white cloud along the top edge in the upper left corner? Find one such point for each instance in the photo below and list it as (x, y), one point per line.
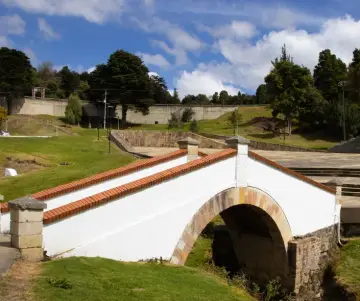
(97, 11)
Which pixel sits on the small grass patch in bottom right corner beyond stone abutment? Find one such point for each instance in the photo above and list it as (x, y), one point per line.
(348, 269)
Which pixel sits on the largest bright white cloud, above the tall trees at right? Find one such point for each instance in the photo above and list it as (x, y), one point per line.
(248, 63)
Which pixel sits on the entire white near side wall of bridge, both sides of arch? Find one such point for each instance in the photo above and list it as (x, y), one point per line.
(149, 223)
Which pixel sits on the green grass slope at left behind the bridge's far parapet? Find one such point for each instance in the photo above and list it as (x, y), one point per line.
(45, 163)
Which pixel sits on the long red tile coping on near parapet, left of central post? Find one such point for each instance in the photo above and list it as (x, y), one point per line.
(135, 186)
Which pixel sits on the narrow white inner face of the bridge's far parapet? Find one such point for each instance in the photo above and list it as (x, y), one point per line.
(88, 191)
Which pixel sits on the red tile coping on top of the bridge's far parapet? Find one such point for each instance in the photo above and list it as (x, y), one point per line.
(101, 177)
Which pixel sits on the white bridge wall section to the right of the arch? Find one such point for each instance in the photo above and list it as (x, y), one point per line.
(307, 207)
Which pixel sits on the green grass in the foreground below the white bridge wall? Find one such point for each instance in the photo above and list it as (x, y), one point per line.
(98, 279)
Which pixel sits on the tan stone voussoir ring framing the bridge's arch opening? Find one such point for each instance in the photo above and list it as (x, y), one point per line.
(222, 201)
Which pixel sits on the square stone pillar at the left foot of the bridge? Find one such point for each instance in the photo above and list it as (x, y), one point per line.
(26, 227)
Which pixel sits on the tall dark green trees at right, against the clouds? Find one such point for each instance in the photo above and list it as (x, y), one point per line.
(327, 100)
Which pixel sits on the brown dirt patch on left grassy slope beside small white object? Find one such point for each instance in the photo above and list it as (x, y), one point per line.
(21, 165)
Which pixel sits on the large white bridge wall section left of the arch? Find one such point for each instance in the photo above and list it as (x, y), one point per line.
(142, 225)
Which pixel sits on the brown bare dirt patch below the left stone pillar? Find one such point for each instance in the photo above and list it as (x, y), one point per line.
(16, 284)
